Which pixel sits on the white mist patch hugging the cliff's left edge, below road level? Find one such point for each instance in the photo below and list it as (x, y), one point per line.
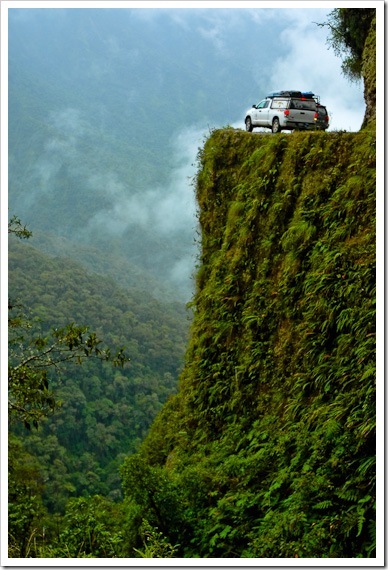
(167, 213)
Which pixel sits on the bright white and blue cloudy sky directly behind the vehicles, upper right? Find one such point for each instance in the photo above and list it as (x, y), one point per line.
(310, 64)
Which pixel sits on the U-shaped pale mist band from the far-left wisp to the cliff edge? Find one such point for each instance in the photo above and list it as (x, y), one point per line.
(167, 211)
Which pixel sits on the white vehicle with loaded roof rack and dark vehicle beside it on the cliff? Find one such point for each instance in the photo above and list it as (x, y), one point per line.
(288, 110)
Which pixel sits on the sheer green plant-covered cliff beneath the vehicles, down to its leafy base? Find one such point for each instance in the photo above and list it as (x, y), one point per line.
(268, 449)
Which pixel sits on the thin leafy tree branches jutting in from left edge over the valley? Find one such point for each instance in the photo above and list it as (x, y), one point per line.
(31, 357)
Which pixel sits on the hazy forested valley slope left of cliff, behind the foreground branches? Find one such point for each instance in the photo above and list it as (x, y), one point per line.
(106, 412)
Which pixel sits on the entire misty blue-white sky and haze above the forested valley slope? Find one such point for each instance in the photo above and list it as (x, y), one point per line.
(108, 108)
